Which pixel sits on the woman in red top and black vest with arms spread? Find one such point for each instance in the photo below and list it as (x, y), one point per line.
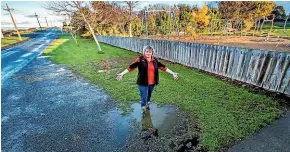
(148, 75)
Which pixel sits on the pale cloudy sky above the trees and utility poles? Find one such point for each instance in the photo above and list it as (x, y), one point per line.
(24, 12)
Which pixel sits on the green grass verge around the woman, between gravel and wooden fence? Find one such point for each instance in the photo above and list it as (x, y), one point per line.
(224, 113)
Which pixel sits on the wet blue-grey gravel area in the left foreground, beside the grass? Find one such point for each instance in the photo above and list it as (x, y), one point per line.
(45, 107)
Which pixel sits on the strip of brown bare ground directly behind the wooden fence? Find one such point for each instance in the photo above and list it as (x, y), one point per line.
(252, 42)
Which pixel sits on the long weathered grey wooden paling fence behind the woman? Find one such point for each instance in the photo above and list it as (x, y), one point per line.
(267, 69)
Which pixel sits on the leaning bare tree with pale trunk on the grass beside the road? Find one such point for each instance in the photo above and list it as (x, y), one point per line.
(74, 7)
